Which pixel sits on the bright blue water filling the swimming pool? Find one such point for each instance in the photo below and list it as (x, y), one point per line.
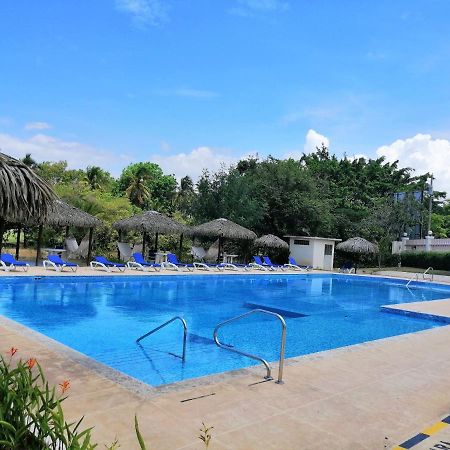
(102, 316)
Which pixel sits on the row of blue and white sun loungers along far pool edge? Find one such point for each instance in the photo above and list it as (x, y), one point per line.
(55, 262)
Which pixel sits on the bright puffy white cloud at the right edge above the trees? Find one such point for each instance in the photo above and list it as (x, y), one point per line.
(424, 154)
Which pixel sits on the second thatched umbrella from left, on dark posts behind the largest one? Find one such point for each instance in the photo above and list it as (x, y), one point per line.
(63, 215)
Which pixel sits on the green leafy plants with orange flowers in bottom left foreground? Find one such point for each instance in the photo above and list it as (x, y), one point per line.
(32, 418)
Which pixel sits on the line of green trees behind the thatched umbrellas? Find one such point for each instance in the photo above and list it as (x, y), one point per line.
(318, 194)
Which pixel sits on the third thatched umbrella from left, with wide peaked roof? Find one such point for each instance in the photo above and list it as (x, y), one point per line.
(151, 222)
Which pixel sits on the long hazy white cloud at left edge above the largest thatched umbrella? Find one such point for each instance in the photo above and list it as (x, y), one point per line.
(47, 148)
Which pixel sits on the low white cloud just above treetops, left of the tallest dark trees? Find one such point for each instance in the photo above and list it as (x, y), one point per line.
(194, 162)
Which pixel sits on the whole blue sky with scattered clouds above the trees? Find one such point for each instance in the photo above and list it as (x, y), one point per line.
(194, 84)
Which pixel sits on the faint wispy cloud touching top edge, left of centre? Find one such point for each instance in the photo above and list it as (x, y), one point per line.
(145, 12)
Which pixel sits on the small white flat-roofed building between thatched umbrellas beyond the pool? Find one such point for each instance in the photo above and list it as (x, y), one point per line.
(317, 252)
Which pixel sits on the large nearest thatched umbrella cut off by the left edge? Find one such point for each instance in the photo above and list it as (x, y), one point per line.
(23, 195)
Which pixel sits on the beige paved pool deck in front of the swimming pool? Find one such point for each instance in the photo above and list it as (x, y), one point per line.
(374, 395)
